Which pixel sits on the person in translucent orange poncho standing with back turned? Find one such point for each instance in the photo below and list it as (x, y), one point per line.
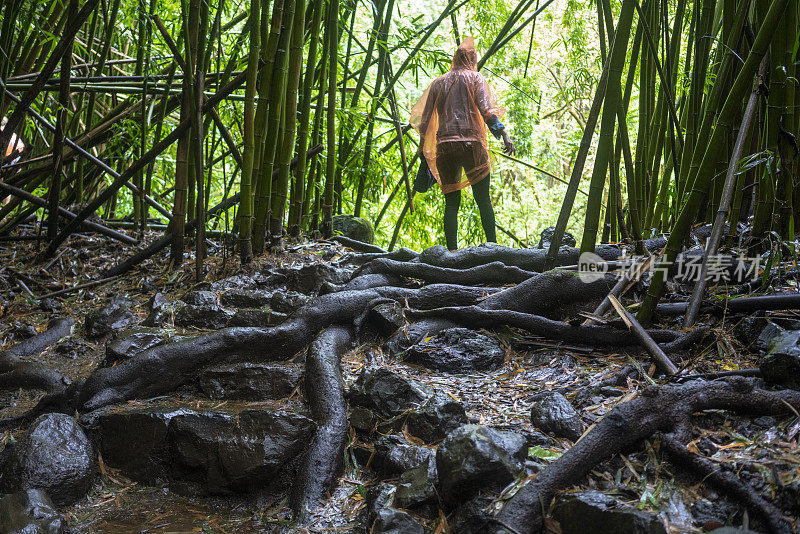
(452, 118)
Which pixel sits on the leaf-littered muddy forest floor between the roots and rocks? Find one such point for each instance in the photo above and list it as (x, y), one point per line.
(764, 450)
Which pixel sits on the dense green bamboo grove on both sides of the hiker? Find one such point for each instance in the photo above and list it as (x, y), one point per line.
(271, 93)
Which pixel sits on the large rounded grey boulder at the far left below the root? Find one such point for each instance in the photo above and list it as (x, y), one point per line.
(54, 455)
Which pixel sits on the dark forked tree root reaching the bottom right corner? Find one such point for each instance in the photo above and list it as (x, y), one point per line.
(667, 409)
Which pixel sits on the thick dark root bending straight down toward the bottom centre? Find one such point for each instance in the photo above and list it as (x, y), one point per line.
(324, 388)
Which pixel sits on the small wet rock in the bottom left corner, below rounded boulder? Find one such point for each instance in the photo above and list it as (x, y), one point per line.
(29, 512)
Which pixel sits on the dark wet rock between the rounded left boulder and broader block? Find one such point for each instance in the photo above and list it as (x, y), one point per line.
(135, 441)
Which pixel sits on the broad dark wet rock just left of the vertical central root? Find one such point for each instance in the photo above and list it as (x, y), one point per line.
(241, 451)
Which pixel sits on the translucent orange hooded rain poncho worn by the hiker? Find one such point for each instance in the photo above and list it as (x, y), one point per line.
(451, 116)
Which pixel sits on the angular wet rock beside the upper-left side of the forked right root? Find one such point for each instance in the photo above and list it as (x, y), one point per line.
(475, 457)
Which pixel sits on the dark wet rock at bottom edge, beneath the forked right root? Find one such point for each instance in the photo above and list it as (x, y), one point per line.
(577, 510)
